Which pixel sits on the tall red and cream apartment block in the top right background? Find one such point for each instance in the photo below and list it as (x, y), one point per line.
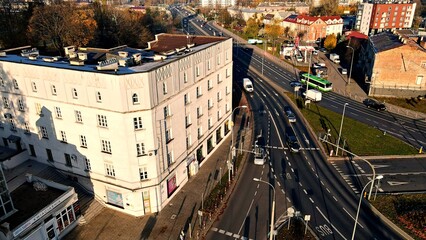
(378, 16)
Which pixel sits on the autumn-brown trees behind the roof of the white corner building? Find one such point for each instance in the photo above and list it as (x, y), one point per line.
(59, 24)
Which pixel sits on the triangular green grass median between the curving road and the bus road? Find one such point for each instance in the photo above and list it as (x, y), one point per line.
(359, 138)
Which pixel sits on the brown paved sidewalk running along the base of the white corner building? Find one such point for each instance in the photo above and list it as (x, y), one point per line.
(181, 211)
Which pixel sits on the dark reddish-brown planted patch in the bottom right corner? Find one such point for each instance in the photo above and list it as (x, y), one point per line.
(408, 211)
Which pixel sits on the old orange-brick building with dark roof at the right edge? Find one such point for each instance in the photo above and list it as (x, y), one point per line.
(403, 76)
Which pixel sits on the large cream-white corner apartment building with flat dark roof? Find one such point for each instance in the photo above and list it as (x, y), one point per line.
(130, 125)
